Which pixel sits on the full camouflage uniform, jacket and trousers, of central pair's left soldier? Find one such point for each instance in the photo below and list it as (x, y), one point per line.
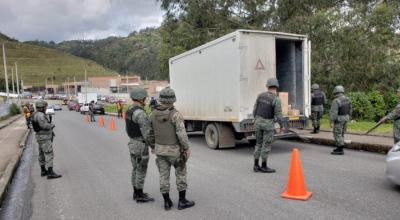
(139, 147)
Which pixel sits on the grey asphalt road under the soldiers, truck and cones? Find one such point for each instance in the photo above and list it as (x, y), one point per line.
(96, 168)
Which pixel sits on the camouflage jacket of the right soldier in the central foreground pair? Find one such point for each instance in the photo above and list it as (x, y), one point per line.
(180, 131)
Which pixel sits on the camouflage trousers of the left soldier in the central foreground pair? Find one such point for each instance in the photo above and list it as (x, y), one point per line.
(139, 158)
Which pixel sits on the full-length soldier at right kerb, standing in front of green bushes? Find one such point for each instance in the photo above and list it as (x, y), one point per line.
(339, 116)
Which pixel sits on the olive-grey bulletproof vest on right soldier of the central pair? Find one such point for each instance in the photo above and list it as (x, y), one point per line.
(164, 129)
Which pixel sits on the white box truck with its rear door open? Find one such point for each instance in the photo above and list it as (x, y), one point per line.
(217, 84)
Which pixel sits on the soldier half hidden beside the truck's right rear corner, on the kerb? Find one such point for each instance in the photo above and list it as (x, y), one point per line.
(318, 99)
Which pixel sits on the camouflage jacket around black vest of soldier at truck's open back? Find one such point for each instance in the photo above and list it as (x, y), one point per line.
(269, 124)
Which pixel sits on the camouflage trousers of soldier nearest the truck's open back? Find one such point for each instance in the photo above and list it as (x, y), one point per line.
(264, 139)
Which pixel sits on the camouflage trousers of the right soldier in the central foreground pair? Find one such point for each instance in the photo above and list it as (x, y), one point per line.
(164, 164)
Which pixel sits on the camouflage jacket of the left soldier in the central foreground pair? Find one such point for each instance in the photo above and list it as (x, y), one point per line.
(140, 117)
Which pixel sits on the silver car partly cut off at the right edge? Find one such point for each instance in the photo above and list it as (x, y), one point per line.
(393, 164)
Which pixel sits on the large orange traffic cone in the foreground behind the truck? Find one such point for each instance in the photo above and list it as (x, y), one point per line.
(296, 188)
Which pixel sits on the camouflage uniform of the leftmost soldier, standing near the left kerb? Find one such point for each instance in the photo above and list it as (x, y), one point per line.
(44, 139)
